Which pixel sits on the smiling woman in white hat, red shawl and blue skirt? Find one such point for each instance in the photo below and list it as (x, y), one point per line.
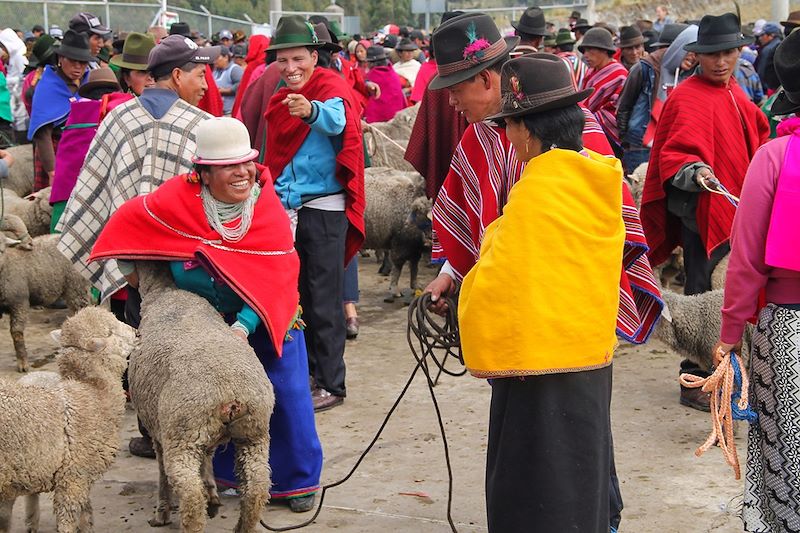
(230, 241)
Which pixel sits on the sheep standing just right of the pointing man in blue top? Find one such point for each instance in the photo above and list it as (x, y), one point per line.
(397, 219)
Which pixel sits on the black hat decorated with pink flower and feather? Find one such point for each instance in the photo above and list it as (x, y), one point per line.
(466, 45)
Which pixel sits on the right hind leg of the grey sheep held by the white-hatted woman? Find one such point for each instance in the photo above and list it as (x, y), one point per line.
(252, 469)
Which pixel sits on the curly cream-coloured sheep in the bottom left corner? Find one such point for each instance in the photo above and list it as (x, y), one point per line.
(60, 433)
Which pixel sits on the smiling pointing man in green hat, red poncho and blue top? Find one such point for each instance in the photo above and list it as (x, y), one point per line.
(316, 158)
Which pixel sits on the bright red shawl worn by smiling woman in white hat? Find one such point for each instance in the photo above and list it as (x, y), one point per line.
(147, 227)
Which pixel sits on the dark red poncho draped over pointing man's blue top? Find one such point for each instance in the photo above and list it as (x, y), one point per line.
(286, 134)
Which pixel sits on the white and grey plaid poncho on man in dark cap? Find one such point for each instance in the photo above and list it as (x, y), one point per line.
(132, 154)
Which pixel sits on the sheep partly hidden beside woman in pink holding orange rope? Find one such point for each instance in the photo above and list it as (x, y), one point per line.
(691, 326)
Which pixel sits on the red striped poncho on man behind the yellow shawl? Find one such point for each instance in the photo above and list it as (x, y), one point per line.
(484, 168)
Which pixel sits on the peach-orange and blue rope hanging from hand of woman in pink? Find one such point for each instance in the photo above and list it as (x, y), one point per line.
(728, 387)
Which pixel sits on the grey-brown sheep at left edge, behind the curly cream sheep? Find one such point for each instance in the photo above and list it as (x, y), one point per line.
(40, 276)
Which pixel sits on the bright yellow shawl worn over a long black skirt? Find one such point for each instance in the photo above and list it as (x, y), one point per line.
(543, 297)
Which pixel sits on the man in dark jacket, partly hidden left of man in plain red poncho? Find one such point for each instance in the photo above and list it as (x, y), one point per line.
(637, 99)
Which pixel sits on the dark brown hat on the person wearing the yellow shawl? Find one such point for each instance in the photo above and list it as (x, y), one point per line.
(535, 83)
